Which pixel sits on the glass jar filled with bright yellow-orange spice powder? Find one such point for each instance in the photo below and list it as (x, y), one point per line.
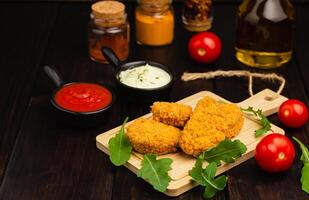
(154, 22)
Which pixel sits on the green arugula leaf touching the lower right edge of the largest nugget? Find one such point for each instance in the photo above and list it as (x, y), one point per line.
(226, 151)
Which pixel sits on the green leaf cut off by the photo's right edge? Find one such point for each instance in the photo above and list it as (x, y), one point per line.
(305, 170)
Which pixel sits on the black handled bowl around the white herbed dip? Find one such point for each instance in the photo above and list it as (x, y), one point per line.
(136, 94)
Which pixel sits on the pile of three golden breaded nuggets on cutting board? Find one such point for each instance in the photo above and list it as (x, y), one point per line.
(175, 125)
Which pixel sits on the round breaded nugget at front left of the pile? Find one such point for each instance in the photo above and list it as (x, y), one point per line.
(150, 136)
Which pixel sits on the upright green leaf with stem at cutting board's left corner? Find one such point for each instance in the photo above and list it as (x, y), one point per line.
(120, 147)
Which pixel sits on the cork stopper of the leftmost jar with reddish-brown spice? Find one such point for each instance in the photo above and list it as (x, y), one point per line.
(108, 13)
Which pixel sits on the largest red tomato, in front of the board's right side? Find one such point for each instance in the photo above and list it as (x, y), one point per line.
(275, 153)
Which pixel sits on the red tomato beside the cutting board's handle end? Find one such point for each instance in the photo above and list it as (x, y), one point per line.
(293, 113)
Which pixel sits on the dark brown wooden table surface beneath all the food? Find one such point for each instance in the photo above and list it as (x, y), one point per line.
(40, 159)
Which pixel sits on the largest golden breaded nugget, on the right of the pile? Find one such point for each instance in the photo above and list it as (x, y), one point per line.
(210, 123)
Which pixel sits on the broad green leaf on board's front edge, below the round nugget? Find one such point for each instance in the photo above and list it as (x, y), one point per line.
(156, 171)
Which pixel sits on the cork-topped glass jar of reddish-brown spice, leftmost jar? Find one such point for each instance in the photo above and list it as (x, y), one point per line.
(108, 27)
